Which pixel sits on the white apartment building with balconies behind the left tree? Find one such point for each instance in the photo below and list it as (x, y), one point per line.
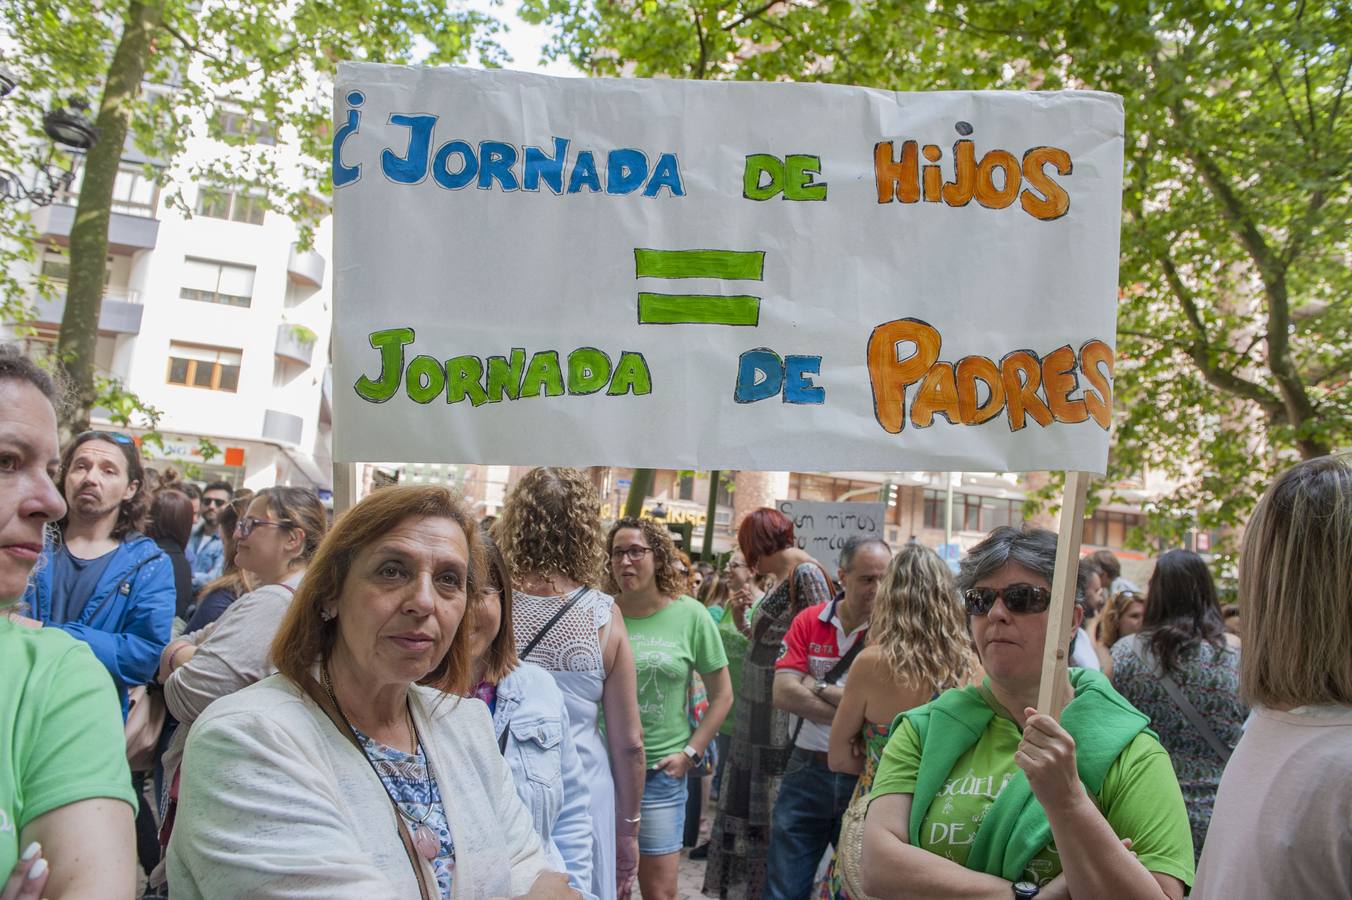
(214, 317)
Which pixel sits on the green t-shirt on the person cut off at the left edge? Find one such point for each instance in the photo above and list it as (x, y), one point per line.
(63, 732)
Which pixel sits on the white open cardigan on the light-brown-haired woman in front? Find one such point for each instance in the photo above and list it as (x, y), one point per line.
(276, 805)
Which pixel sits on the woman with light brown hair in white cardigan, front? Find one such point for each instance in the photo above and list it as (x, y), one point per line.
(362, 771)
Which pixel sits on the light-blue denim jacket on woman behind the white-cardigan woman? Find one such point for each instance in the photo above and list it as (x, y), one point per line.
(547, 770)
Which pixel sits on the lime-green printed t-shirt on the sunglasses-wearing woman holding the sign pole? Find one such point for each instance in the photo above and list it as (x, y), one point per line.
(1140, 799)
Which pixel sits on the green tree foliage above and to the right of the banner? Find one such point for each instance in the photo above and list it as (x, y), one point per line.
(1235, 322)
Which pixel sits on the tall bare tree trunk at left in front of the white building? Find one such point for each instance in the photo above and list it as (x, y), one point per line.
(90, 233)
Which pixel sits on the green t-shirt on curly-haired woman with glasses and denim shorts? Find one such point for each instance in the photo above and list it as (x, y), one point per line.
(669, 645)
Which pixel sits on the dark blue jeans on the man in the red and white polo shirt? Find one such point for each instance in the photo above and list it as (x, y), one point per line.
(806, 821)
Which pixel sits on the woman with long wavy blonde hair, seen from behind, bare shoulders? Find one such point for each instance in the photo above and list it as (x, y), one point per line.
(919, 647)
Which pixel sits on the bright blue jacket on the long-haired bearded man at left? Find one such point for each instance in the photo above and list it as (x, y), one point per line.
(129, 621)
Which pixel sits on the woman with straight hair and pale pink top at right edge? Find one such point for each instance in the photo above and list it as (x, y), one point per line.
(1282, 813)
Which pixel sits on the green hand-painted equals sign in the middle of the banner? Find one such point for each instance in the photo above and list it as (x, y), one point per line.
(700, 309)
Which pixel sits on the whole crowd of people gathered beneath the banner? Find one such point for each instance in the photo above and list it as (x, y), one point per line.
(218, 694)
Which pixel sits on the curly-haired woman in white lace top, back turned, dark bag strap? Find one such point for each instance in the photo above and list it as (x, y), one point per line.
(550, 532)
